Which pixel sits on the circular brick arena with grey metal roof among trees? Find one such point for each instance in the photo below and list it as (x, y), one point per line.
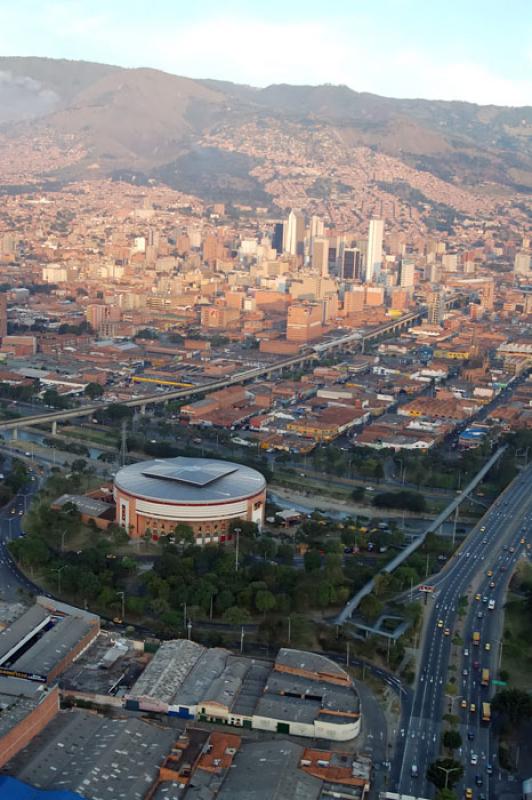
(206, 494)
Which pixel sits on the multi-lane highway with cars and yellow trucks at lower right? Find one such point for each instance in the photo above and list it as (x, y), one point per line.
(485, 546)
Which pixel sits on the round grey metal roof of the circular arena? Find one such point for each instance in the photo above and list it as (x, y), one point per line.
(190, 480)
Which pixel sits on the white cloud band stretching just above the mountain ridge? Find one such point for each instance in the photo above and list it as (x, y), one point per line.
(248, 50)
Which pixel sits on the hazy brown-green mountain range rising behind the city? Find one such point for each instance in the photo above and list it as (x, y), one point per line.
(143, 119)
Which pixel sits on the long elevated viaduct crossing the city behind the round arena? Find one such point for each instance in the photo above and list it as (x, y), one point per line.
(312, 353)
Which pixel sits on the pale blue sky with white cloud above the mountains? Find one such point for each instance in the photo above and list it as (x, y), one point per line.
(477, 50)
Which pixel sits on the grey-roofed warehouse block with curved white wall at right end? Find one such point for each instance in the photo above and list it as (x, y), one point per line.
(303, 694)
